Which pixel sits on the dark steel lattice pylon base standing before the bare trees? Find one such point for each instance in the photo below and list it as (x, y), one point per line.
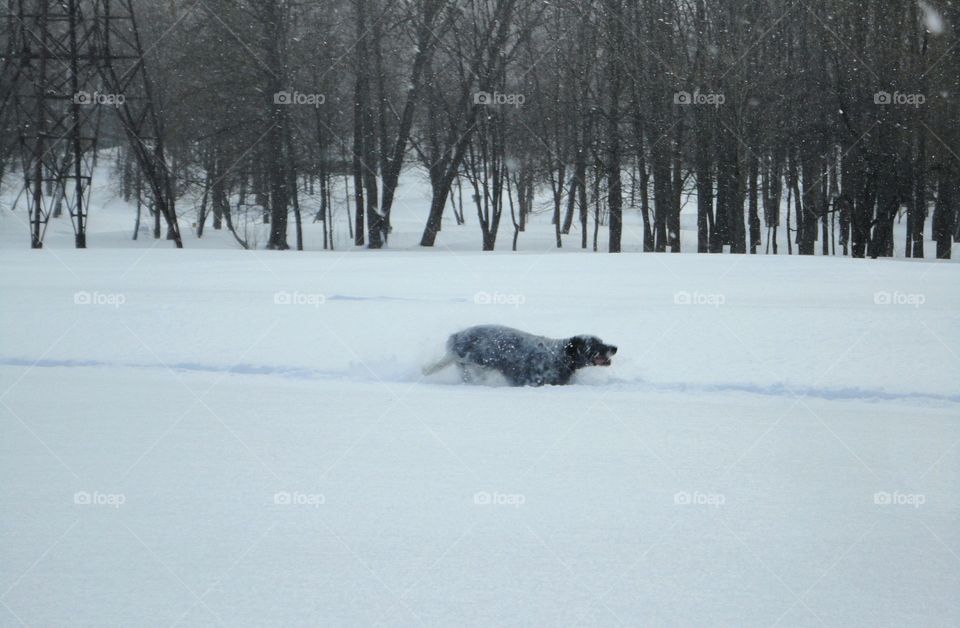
(72, 62)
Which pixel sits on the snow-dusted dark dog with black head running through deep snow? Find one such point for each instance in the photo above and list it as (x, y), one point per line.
(523, 359)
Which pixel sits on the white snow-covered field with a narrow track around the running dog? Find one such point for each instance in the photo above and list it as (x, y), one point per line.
(224, 437)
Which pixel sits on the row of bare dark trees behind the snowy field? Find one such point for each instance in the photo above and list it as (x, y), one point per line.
(829, 120)
